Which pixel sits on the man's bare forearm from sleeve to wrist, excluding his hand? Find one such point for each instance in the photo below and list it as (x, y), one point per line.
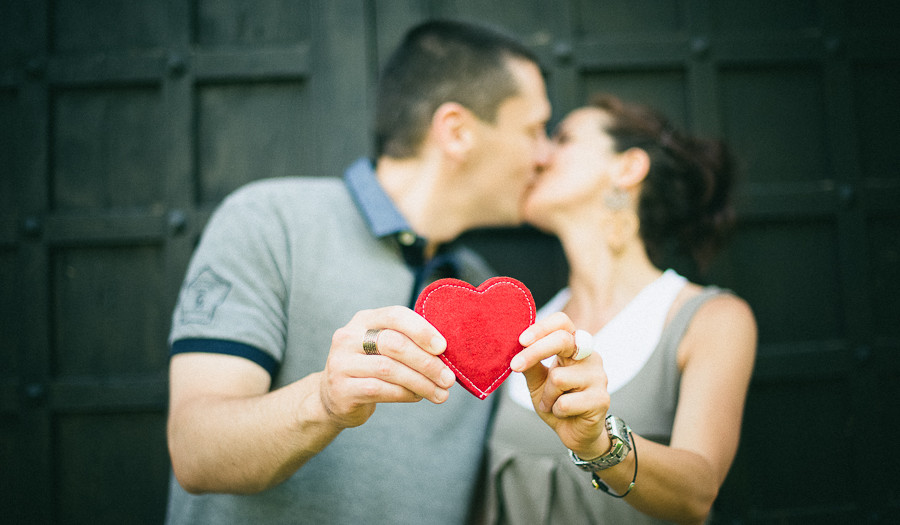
(228, 433)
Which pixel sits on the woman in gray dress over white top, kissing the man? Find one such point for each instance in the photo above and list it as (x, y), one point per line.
(672, 360)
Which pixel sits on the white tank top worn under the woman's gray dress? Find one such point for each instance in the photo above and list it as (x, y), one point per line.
(627, 341)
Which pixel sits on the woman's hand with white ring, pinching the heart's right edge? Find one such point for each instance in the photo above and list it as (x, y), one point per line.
(569, 395)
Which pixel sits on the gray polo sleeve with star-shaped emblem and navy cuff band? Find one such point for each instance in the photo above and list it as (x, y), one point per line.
(233, 298)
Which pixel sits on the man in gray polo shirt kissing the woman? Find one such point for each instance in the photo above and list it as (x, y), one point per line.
(272, 394)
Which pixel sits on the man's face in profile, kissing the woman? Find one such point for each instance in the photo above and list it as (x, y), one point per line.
(512, 149)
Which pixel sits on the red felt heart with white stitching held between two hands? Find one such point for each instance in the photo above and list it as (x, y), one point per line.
(481, 326)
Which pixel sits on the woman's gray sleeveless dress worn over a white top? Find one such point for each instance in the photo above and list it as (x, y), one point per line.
(530, 476)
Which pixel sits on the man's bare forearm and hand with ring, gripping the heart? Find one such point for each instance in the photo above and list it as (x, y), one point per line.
(228, 432)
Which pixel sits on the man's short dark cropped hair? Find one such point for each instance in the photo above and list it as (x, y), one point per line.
(442, 61)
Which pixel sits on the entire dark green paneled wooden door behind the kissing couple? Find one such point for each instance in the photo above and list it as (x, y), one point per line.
(125, 123)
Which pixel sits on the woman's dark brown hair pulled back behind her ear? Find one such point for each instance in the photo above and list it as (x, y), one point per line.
(685, 204)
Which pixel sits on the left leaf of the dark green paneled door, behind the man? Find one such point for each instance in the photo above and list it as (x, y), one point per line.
(124, 124)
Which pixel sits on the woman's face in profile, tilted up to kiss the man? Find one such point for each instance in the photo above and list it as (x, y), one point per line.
(577, 174)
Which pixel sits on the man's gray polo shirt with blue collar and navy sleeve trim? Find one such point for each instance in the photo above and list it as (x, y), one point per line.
(281, 265)
